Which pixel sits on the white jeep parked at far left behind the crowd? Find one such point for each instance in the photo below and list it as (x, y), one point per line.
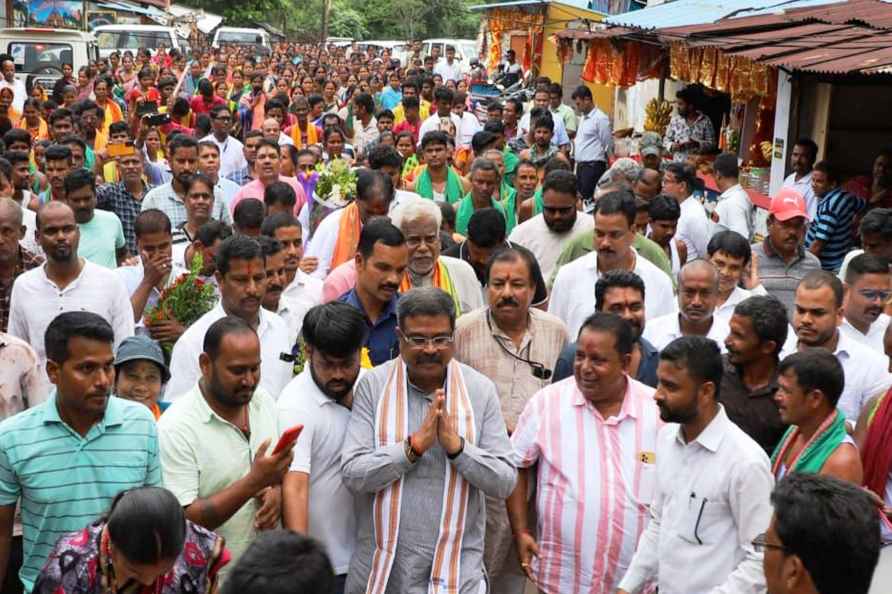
(40, 53)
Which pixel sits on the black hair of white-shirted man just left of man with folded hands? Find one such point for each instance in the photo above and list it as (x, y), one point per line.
(335, 328)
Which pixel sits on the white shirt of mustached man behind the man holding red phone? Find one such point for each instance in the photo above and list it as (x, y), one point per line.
(274, 373)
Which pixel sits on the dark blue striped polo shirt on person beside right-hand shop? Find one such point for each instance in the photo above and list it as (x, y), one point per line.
(833, 226)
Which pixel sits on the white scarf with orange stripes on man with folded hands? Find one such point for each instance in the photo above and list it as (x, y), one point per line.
(392, 427)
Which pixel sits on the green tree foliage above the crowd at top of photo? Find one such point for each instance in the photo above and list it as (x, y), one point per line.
(359, 19)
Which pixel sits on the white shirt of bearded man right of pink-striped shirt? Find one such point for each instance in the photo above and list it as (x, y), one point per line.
(711, 501)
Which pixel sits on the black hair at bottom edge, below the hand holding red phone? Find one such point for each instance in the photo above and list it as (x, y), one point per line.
(281, 562)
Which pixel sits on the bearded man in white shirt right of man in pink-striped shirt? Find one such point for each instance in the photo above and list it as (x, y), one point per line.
(711, 497)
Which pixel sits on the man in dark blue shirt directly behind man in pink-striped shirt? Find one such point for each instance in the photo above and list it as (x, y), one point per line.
(622, 293)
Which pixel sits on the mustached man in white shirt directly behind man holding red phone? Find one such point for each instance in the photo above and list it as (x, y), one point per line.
(241, 277)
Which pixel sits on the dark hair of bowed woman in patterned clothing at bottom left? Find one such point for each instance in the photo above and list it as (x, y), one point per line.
(147, 525)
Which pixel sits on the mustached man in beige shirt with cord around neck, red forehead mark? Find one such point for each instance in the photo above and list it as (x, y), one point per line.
(514, 345)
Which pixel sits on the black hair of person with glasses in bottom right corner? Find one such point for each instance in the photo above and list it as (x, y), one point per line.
(822, 520)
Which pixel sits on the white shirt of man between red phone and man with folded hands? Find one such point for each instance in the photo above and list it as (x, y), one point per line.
(318, 453)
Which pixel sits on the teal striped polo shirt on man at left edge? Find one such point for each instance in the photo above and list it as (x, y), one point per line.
(66, 481)
